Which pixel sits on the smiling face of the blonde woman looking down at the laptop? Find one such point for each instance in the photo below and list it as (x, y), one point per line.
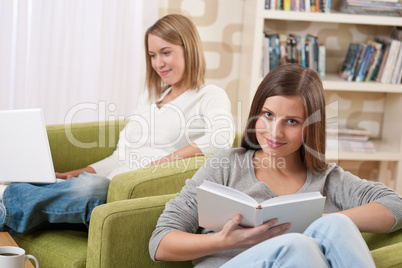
(168, 61)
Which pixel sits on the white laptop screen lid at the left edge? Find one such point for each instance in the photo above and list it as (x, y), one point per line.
(24, 147)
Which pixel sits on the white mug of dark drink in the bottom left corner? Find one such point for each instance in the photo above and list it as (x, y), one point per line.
(14, 257)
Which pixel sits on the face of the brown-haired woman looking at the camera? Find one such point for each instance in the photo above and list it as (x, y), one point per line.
(279, 127)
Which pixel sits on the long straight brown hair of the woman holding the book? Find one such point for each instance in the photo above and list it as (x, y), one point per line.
(294, 80)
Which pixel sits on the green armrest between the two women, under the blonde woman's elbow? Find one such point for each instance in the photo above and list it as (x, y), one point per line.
(166, 178)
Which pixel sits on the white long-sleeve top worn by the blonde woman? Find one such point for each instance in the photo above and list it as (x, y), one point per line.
(200, 116)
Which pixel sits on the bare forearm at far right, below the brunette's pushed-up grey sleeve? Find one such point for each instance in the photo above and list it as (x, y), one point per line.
(372, 217)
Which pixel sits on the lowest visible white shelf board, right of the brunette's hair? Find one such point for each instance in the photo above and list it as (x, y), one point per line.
(384, 152)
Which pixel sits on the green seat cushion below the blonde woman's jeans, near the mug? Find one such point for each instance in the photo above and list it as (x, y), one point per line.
(56, 248)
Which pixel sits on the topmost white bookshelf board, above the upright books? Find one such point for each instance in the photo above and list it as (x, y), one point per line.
(332, 17)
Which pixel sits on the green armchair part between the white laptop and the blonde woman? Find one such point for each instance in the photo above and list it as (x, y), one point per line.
(78, 145)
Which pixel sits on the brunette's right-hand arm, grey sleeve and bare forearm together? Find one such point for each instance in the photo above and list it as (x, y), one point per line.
(372, 206)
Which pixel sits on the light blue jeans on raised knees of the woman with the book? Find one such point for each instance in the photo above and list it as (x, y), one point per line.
(331, 241)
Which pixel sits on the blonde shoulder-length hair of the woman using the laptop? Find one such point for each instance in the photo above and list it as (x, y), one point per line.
(178, 30)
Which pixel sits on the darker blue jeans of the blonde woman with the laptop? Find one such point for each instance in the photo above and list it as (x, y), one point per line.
(28, 206)
